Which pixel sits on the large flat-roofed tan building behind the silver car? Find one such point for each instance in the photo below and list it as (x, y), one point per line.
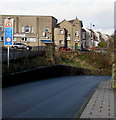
(32, 30)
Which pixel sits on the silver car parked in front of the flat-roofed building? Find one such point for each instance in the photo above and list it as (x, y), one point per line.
(21, 46)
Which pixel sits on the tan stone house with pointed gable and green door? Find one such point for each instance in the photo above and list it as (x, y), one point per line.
(73, 33)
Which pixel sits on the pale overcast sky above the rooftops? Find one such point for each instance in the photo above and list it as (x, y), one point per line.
(98, 12)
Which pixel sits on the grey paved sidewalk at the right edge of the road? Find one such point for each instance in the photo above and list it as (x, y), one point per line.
(101, 104)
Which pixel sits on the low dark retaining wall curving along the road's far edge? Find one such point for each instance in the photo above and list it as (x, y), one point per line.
(42, 73)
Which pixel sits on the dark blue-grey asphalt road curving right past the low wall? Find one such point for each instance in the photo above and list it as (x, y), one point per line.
(51, 98)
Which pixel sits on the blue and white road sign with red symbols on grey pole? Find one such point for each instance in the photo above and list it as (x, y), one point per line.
(8, 35)
